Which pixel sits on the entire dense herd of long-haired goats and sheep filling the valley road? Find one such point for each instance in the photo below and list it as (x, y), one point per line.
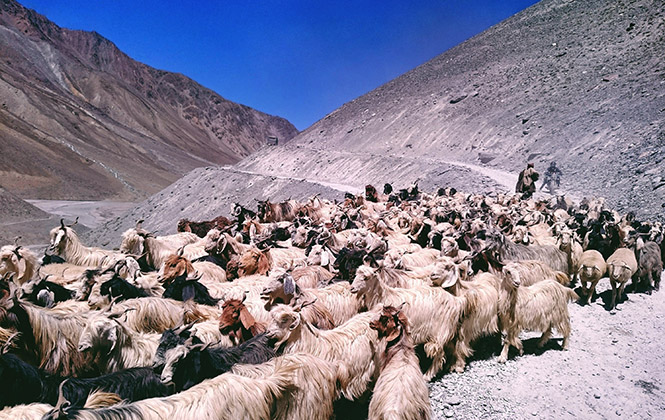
(301, 308)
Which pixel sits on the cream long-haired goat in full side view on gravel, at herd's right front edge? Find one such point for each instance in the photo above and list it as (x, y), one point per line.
(540, 307)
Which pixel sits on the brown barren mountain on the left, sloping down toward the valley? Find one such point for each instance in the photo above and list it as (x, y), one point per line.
(79, 119)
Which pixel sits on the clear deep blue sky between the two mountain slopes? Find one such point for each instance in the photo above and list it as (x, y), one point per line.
(297, 59)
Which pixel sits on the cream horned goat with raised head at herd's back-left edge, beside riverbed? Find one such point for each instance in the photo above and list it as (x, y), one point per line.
(66, 243)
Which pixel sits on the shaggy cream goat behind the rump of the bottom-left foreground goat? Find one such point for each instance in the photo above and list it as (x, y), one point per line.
(315, 387)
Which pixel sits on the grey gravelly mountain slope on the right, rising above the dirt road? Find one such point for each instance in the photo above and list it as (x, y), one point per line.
(578, 82)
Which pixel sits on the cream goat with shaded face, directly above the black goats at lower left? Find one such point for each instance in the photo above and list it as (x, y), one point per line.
(116, 346)
